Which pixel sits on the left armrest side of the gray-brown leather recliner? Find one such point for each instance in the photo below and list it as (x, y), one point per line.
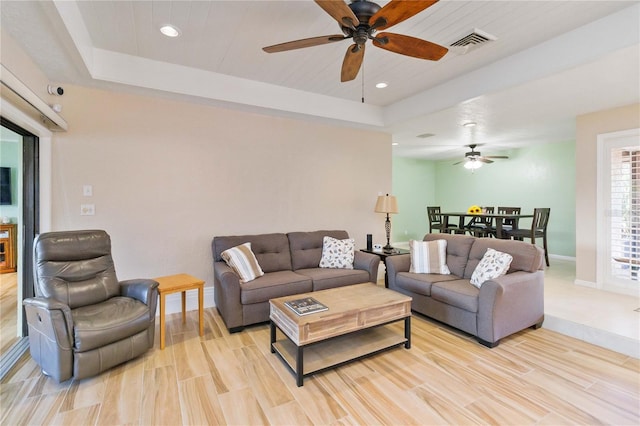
(50, 336)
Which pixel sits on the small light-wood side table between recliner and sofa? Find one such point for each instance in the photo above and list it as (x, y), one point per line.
(180, 283)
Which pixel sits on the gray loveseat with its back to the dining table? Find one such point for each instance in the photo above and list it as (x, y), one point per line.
(502, 306)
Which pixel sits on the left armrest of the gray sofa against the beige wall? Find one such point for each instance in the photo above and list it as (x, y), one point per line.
(226, 292)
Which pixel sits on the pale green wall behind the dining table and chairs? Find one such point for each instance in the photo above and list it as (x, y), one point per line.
(535, 176)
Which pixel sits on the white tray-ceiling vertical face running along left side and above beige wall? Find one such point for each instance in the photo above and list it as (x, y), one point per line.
(132, 70)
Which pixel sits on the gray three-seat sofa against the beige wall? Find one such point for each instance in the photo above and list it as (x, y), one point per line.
(290, 263)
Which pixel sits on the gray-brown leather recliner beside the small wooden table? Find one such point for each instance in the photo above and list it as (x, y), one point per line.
(83, 321)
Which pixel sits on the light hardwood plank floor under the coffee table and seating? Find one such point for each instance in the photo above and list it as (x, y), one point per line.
(533, 377)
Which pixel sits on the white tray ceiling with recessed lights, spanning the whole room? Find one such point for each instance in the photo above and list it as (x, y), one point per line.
(552, 60)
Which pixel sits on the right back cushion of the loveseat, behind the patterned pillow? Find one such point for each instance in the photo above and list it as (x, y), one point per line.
(526, 256)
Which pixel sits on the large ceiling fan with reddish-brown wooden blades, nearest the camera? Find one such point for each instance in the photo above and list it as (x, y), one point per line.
(361, 21)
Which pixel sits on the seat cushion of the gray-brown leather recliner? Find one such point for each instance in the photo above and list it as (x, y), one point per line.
(100, 324)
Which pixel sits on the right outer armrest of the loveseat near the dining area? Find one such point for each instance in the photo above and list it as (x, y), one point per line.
(510, 303)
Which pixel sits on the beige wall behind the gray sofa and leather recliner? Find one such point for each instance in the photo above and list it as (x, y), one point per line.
(168, 176)
